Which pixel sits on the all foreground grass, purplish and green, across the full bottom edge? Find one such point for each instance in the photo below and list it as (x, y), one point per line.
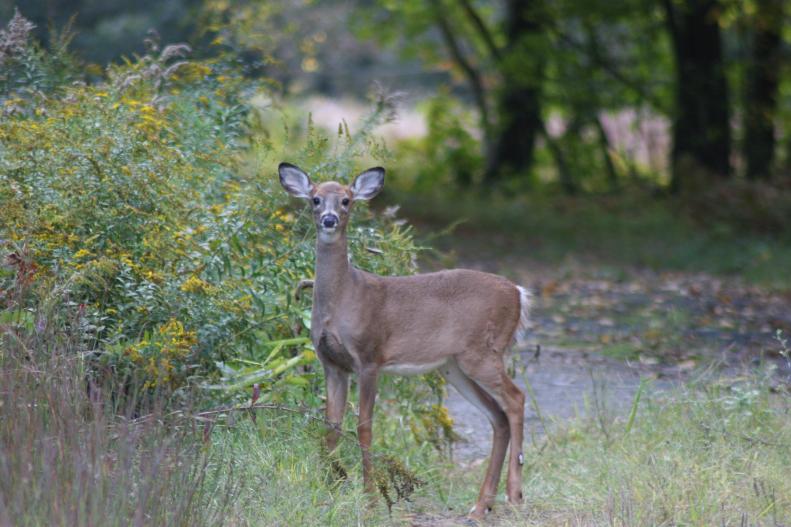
(710, 453)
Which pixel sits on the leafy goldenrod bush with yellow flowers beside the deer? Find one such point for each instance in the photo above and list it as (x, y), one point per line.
(147, 196)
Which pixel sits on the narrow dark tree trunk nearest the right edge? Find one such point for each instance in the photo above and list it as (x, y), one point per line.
(761, 89)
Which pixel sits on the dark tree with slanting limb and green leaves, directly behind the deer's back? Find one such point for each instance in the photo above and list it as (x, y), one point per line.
(499, 61)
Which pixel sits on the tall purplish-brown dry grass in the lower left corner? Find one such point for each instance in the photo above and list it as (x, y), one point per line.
(71, 452)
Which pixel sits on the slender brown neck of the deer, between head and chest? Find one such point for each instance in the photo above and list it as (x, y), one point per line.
(332, 271)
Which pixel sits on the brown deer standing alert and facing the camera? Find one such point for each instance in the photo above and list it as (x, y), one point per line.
(460, 322)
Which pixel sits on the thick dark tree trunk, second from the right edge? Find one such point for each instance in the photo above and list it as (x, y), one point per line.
(701, 125)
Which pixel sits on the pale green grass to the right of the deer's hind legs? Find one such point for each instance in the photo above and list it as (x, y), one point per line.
(704, 454)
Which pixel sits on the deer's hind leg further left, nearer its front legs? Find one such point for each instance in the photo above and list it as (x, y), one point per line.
(479, 398)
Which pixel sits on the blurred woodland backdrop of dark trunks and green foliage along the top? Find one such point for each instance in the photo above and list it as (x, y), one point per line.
(584, 96)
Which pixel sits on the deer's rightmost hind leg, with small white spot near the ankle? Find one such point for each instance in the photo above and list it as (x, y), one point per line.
(494, 380)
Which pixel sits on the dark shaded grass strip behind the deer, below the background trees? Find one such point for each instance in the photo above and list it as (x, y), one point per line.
(611, 233)
